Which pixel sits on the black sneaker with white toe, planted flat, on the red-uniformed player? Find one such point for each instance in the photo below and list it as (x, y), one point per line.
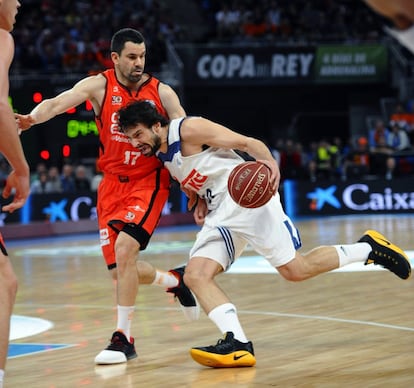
(118, 351)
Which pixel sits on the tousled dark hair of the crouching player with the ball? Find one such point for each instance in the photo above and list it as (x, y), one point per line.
(140, 112)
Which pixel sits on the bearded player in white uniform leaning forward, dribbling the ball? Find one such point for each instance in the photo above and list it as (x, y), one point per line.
(199, 154)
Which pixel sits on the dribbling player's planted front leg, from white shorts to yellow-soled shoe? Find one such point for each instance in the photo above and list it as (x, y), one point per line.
(234, 349)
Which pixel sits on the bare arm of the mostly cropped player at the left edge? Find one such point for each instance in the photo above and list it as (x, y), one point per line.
(10, 145)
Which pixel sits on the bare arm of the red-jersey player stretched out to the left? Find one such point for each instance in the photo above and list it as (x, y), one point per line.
(90, 88)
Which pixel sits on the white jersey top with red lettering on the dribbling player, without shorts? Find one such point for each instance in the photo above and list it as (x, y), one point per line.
(206, 173)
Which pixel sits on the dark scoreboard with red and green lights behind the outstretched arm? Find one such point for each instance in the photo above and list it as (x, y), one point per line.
(72, 135)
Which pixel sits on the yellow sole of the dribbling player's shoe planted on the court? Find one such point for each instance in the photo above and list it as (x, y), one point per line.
(232, 360)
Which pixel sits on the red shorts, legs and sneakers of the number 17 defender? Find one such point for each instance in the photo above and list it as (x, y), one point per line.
(127, 223)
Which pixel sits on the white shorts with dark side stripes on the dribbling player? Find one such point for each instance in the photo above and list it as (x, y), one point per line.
(229, 228)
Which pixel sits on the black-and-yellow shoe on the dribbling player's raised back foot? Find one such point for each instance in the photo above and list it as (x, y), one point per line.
(403, 266)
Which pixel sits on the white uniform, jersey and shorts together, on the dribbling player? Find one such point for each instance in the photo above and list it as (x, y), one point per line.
(228, 227)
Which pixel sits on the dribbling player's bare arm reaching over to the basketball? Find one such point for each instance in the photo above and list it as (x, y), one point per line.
(196, 131)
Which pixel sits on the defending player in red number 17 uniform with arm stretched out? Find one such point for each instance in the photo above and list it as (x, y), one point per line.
(134, 188)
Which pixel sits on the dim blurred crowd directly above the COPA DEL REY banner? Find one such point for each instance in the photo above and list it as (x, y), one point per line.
(285, 21)
